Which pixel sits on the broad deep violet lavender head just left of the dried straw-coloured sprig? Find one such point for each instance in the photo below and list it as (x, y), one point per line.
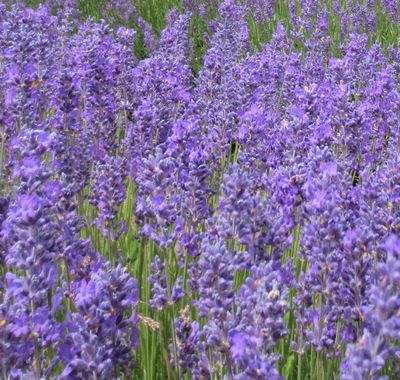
(102, 334)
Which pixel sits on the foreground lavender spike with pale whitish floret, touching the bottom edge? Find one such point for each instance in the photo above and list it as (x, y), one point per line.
(261, 307)
